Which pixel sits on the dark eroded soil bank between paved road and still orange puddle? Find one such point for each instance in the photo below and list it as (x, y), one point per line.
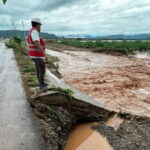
(61, 120)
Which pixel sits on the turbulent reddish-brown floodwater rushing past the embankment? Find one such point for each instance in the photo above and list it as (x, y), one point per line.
(120, 83)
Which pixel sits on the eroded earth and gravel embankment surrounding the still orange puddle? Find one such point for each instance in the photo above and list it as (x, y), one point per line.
(65, 114)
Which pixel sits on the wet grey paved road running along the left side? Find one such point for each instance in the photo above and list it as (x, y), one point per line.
(18, 128)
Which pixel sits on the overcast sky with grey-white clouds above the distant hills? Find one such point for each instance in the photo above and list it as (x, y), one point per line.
(96, 17)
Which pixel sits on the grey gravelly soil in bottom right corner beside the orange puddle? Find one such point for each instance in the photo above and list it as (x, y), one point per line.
(133, 134)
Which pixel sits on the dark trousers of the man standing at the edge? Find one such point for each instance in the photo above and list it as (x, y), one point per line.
(40, 70)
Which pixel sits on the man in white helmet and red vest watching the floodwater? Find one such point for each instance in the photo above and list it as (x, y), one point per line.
(37, 51)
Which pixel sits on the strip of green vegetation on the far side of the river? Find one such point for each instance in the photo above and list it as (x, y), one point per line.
(128, 46)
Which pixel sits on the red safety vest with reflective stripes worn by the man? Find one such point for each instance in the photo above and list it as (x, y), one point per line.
(34, 52)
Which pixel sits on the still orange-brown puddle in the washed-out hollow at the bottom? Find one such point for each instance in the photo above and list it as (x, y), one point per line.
(84, 138)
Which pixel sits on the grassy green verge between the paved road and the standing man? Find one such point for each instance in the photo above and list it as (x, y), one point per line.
(25, 64)
